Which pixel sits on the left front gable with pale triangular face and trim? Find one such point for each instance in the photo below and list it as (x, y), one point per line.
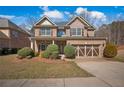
(45, 21)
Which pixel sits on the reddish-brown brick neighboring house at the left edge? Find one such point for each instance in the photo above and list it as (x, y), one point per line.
(12, 36)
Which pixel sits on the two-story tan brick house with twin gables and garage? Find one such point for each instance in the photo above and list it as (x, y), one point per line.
(77, 32)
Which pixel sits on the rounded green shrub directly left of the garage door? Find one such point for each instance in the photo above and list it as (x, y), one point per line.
(69, 51)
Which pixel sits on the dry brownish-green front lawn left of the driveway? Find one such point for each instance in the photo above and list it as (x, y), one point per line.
(12, 68)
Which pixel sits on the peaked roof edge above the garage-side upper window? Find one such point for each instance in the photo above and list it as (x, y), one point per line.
(81, 19)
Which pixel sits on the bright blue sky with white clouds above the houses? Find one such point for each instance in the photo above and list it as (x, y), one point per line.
(102, 14)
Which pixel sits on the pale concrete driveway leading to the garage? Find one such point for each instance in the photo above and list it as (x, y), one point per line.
(110, 72)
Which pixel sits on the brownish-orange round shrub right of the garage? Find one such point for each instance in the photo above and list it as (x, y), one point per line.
(110, 51)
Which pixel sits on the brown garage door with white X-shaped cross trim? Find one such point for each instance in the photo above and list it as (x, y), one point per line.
(87, 50)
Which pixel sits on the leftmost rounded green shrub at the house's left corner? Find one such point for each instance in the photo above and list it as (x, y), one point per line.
(24, 52)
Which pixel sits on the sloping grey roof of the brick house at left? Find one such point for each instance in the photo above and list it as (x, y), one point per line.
(6, 23)
